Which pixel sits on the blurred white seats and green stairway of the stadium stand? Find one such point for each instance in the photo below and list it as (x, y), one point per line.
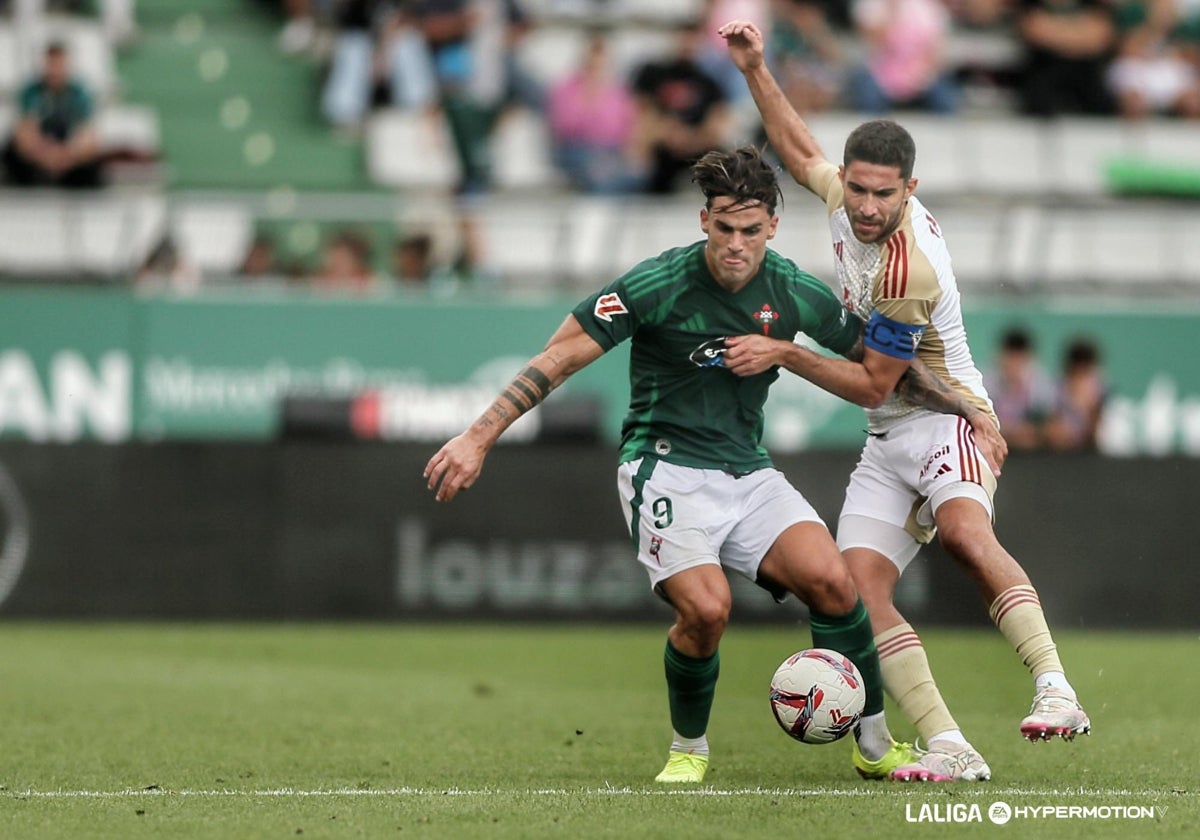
(1031, 205)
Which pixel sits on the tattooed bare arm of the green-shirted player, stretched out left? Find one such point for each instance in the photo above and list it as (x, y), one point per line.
(460, 461)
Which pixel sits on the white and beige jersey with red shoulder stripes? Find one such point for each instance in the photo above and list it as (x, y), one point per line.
(908, 279)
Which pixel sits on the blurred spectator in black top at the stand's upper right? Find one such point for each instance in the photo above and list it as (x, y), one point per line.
(1069, 46)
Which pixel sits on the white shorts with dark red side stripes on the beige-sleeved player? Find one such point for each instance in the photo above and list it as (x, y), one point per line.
(904, 477)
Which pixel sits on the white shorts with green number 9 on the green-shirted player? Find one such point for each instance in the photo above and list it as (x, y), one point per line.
(681, 518)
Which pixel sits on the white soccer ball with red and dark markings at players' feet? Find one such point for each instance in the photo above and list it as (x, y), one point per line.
(818, 697)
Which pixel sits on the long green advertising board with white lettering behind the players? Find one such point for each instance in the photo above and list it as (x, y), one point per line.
(113, 367)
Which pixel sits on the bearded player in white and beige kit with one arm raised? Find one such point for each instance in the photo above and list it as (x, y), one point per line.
(921, 473)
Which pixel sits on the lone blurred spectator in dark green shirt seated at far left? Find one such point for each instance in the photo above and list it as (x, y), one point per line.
(55, 142)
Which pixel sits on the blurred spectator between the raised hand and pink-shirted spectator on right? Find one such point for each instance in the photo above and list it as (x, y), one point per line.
(805, 56)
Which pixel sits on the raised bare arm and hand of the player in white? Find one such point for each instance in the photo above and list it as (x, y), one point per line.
(788, 133)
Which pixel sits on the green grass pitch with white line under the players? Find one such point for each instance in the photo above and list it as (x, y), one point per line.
(543, 731)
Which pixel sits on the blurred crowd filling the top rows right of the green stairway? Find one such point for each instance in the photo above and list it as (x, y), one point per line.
(634, 129)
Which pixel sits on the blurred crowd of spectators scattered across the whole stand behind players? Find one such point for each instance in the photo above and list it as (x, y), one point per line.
(616, 129)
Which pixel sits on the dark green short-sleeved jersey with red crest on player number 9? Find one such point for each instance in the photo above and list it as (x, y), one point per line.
(686, 407)
